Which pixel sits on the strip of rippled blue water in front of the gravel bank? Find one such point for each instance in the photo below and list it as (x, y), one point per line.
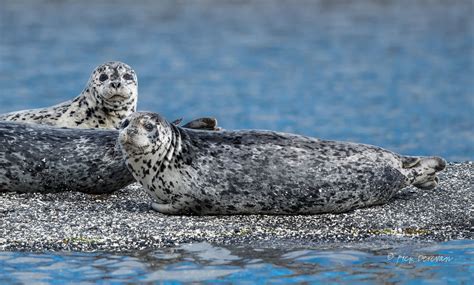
(445, 263)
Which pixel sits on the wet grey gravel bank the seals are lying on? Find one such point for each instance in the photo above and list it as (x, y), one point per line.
(123, 221)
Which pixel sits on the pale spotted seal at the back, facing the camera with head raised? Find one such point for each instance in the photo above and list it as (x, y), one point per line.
(102, 104)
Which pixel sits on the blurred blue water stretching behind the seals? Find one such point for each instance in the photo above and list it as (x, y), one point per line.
(397, 74)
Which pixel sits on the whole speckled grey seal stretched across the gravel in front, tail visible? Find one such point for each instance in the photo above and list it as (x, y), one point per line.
(262, 172)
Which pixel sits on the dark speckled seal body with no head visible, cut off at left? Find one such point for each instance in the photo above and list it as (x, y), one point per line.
(35, 158)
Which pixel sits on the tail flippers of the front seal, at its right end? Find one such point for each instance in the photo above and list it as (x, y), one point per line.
(422, 171)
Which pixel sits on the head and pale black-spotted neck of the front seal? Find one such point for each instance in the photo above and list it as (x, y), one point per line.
(152, 149)
